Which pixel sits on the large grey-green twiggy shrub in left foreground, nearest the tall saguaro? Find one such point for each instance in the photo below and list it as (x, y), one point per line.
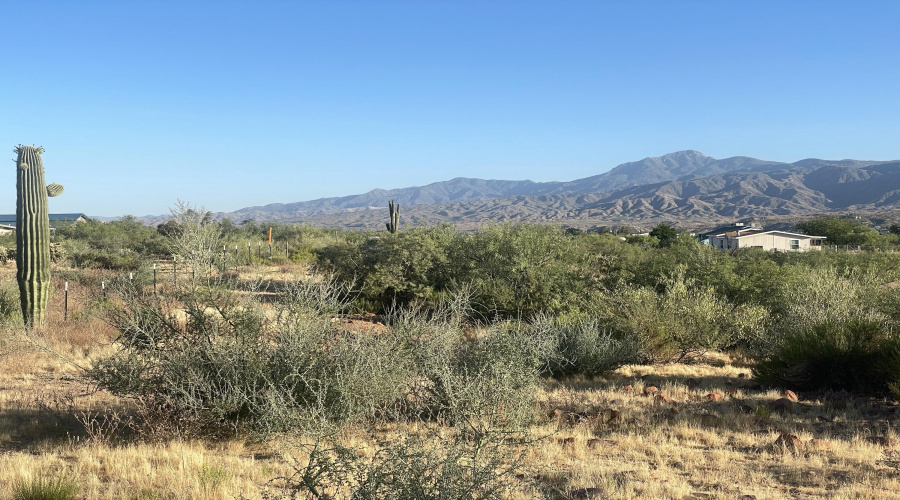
(227, 365)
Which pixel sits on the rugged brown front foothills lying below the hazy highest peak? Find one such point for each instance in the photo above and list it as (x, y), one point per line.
(742, 193)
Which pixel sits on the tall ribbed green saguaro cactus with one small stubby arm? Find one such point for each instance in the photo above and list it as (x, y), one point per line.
(33, 233)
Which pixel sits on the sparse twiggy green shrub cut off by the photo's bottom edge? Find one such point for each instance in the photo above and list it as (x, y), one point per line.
(477, 466)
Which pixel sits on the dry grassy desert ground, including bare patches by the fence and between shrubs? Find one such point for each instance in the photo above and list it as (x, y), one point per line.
(702, 427)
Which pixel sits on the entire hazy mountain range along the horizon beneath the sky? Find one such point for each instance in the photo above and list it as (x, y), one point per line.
(685, 185)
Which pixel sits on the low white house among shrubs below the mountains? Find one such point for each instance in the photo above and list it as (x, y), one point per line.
(747, 236)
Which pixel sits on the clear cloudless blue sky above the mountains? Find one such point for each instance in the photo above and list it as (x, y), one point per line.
(234, 104)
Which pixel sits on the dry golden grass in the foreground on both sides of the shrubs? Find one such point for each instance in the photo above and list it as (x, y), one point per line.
(594, 433)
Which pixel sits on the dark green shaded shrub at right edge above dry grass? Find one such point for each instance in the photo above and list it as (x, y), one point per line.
(855, 355)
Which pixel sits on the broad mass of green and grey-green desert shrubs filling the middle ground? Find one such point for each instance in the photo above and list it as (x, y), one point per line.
(471, 324)
